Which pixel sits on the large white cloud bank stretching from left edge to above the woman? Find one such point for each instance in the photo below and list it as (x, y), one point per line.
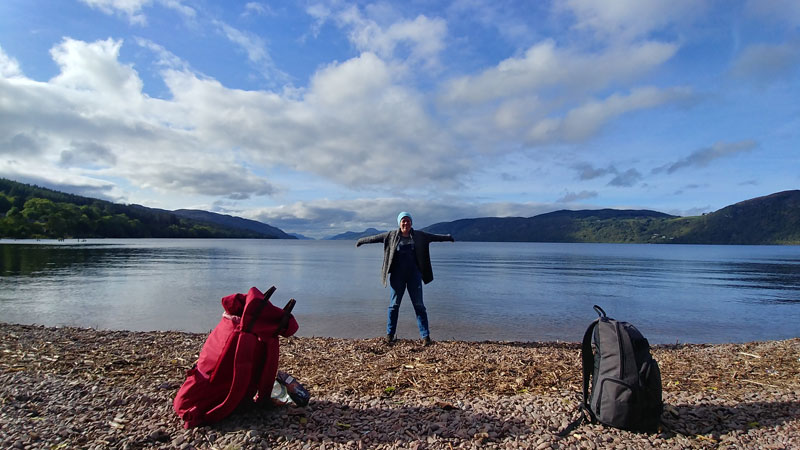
(351, 126)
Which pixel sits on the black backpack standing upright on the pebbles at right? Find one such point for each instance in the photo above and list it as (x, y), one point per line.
(626, 380)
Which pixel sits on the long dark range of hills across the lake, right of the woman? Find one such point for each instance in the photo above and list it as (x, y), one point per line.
(773, 219)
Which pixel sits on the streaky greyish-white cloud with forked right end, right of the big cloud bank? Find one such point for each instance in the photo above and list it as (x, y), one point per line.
(548, 94)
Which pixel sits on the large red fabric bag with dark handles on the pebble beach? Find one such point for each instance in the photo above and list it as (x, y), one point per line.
(239, 359)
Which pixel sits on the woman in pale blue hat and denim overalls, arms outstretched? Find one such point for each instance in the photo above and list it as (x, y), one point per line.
(407, 261)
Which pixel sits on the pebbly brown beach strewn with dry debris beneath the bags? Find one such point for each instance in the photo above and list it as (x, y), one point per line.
(71, 387)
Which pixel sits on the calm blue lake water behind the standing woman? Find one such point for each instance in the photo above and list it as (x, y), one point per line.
(481, 291)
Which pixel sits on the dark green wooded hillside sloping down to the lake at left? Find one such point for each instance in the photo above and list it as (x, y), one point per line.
(28, 211)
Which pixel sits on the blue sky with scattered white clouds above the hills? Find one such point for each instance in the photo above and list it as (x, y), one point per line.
(320, 117)
